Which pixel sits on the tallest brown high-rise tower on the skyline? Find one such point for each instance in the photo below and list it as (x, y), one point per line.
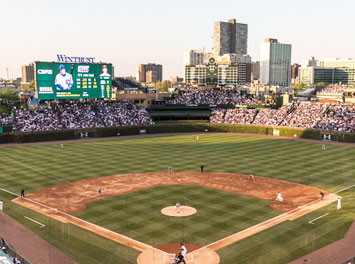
(230, 37)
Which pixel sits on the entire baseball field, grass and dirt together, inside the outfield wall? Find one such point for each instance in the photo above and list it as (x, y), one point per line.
(125, 224)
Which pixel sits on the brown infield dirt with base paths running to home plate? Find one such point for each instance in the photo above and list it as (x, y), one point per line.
(61, 201)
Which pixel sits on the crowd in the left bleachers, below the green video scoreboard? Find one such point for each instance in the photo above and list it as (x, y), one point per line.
(78, 115)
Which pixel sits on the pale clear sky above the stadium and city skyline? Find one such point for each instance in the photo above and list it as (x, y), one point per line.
(127, 33)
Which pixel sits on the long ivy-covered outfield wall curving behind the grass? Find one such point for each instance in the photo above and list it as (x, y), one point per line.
(25, 137)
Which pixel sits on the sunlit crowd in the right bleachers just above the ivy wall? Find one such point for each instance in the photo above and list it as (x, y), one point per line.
(324, 116)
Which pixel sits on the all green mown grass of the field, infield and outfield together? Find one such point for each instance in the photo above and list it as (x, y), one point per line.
(39, 166)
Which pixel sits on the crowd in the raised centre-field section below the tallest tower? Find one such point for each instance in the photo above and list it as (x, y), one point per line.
(214, 96)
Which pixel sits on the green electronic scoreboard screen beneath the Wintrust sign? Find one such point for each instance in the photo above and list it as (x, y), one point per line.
(73, 80)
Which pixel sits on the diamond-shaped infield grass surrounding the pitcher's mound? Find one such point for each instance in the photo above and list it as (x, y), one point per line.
(137, 215)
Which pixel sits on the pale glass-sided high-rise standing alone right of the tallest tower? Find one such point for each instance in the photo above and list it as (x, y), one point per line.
(275, 63)
